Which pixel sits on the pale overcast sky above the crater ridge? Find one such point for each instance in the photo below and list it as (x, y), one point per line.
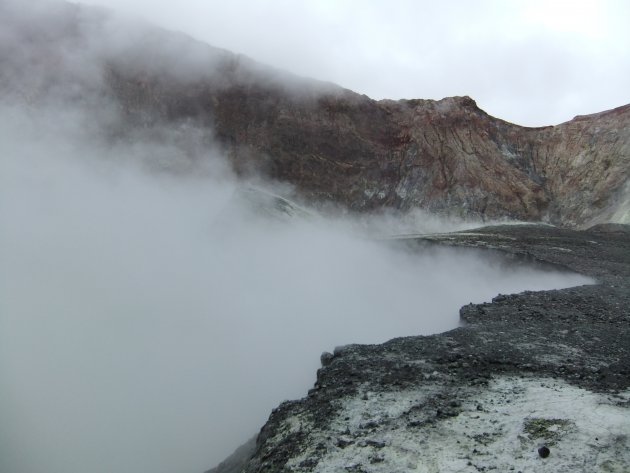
(533, 62)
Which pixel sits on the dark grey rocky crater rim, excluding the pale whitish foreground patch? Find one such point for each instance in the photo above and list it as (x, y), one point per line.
(579, 335)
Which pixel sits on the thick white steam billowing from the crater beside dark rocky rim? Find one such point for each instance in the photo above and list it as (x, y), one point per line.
(150, 317)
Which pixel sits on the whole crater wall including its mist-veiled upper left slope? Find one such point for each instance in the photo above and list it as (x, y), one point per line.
(332, 144)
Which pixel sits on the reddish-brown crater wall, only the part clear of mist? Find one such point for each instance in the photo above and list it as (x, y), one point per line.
(447, 156)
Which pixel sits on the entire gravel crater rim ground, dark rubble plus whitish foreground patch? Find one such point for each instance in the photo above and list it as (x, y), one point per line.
(537, 381)
